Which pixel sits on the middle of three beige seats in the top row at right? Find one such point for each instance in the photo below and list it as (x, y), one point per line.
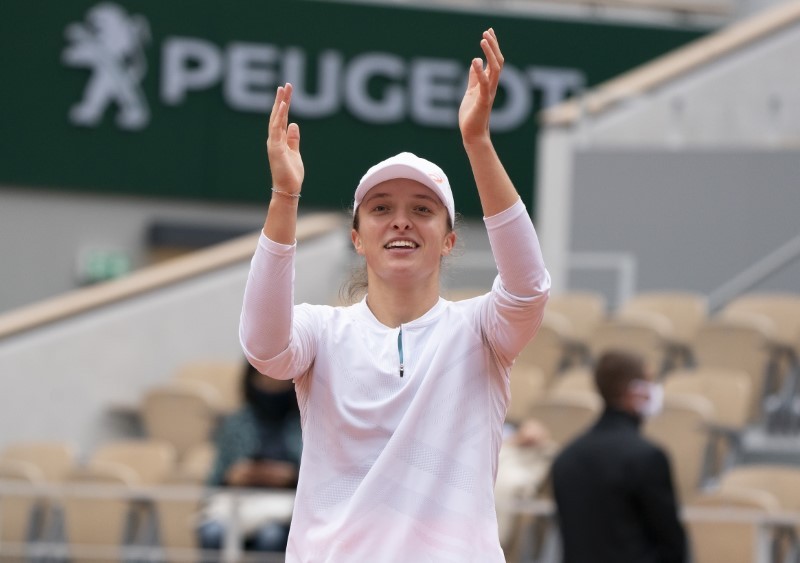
(686, 311)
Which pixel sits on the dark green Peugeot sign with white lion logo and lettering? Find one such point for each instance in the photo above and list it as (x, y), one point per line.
(171, 98)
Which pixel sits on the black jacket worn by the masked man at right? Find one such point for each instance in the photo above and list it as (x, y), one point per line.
(615, 499)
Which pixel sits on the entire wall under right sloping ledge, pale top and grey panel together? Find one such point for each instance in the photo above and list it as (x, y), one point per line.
(715, 143)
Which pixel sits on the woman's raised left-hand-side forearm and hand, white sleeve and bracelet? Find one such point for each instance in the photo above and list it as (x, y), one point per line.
(265, 325)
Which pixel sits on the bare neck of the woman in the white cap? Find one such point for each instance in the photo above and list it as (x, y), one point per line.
(395, 306)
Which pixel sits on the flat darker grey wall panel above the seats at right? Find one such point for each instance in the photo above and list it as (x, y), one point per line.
(691, 219)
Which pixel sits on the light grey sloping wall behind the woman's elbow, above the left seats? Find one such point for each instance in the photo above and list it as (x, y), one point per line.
(60, 382)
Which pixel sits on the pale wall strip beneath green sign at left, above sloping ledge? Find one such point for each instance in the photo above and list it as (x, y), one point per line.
(42, 235)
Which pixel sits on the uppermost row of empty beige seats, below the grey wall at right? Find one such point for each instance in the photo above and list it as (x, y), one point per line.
(757, 334)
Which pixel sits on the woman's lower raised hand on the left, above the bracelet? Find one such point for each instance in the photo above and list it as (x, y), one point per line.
(283, 145)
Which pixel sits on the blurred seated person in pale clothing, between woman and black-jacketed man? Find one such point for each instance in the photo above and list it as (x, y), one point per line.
(522, 468)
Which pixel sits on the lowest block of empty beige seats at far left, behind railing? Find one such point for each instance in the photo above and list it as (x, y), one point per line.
(102, 503)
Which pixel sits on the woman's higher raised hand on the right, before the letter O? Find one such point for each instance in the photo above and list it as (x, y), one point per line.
(476, 107)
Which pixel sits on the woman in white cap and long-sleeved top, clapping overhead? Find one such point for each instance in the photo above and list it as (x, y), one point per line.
(402, 395)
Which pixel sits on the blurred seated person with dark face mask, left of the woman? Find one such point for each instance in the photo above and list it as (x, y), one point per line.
(258, 446)
